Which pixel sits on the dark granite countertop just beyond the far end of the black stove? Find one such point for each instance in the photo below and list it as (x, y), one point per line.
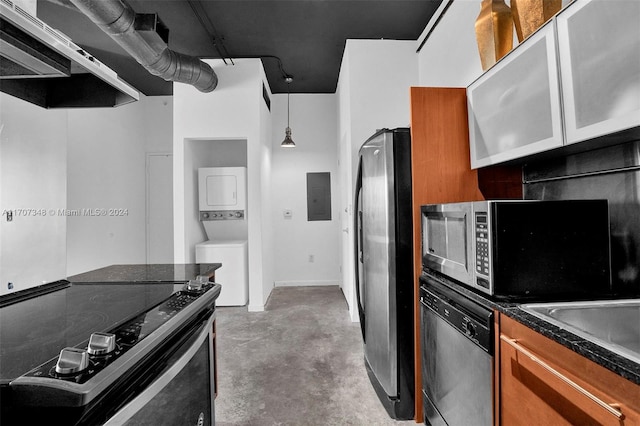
(157, 272)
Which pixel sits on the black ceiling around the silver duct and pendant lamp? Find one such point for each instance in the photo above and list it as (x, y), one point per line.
(308, 36)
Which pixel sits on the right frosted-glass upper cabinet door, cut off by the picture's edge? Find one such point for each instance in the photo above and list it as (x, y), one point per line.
(599, 47)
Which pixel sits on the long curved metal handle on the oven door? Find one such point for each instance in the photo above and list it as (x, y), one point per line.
(131, 408)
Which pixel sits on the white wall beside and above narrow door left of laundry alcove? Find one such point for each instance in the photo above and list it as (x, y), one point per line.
(106, 170)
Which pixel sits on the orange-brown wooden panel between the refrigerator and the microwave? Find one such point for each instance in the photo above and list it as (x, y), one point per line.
(441, 173)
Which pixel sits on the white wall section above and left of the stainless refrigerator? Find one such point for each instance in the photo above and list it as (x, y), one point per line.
(373, 93)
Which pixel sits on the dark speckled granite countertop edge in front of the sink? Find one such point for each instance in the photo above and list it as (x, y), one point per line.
(624, 367)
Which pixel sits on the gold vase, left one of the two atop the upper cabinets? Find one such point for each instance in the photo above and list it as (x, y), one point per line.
(494, 32)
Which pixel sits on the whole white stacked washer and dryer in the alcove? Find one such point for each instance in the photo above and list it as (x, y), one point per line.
(222, 202)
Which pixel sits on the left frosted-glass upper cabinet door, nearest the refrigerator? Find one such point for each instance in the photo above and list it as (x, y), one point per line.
(514, 108)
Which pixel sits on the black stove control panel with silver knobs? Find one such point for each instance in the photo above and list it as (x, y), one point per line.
(79, 364)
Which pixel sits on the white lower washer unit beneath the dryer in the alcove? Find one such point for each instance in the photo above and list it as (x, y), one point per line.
(233, 276)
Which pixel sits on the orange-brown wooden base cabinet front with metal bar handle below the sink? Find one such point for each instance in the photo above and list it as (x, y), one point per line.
(542, 382)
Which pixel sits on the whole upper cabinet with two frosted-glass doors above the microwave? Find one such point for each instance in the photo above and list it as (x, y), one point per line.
(590, 52)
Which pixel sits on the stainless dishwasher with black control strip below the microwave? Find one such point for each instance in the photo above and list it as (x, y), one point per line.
(457, 357)
